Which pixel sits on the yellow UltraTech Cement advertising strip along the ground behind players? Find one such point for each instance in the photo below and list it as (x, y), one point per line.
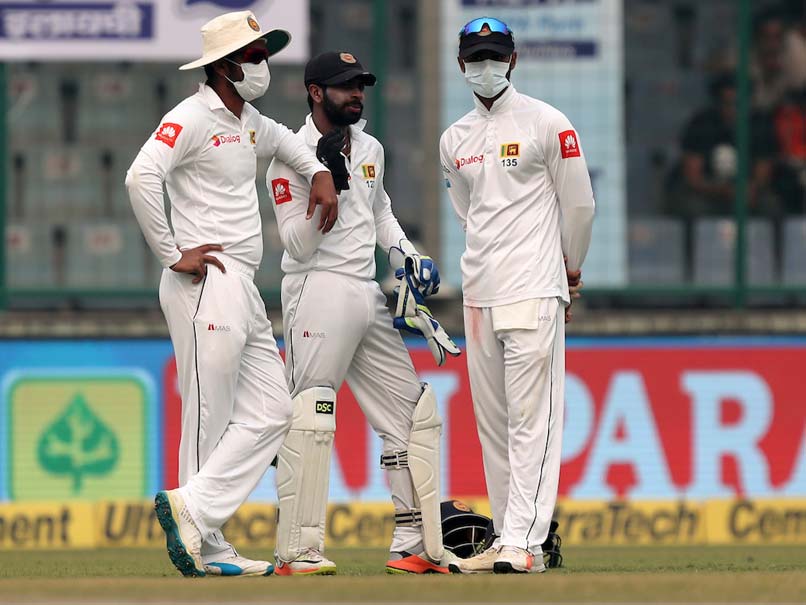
(133, 524)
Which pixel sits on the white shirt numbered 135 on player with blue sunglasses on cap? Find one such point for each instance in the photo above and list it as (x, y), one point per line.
(517, 179)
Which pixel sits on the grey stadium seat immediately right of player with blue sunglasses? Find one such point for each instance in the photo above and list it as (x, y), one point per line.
(656, 251)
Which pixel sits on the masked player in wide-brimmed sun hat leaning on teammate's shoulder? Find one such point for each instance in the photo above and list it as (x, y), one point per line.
(236, 409)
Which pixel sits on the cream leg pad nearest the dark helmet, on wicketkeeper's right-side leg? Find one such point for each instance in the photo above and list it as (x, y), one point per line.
(423, 462)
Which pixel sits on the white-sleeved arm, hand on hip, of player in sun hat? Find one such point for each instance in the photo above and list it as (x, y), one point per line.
(168, 147)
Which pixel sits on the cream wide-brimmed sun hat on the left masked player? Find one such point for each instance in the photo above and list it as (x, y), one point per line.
(227, 33)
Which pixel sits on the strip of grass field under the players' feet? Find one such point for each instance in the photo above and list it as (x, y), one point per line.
(592, 575)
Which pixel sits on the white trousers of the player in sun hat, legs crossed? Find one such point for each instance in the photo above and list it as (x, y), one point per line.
(236, 409)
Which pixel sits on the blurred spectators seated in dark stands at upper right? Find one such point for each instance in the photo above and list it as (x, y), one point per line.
(703, 183)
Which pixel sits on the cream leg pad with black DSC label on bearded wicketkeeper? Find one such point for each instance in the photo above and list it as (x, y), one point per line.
(303, 473)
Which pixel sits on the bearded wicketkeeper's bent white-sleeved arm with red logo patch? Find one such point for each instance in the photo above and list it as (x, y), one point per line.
(290, 192)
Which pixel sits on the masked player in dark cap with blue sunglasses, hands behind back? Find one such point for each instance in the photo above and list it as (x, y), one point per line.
(517, 178)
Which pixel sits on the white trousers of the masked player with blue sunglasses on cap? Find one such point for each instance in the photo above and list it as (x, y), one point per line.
(516, 367)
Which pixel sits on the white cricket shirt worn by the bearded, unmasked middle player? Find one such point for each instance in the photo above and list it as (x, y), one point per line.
(365, 211)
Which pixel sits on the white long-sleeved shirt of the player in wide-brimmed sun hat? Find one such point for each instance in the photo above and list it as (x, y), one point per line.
(207, 157)
